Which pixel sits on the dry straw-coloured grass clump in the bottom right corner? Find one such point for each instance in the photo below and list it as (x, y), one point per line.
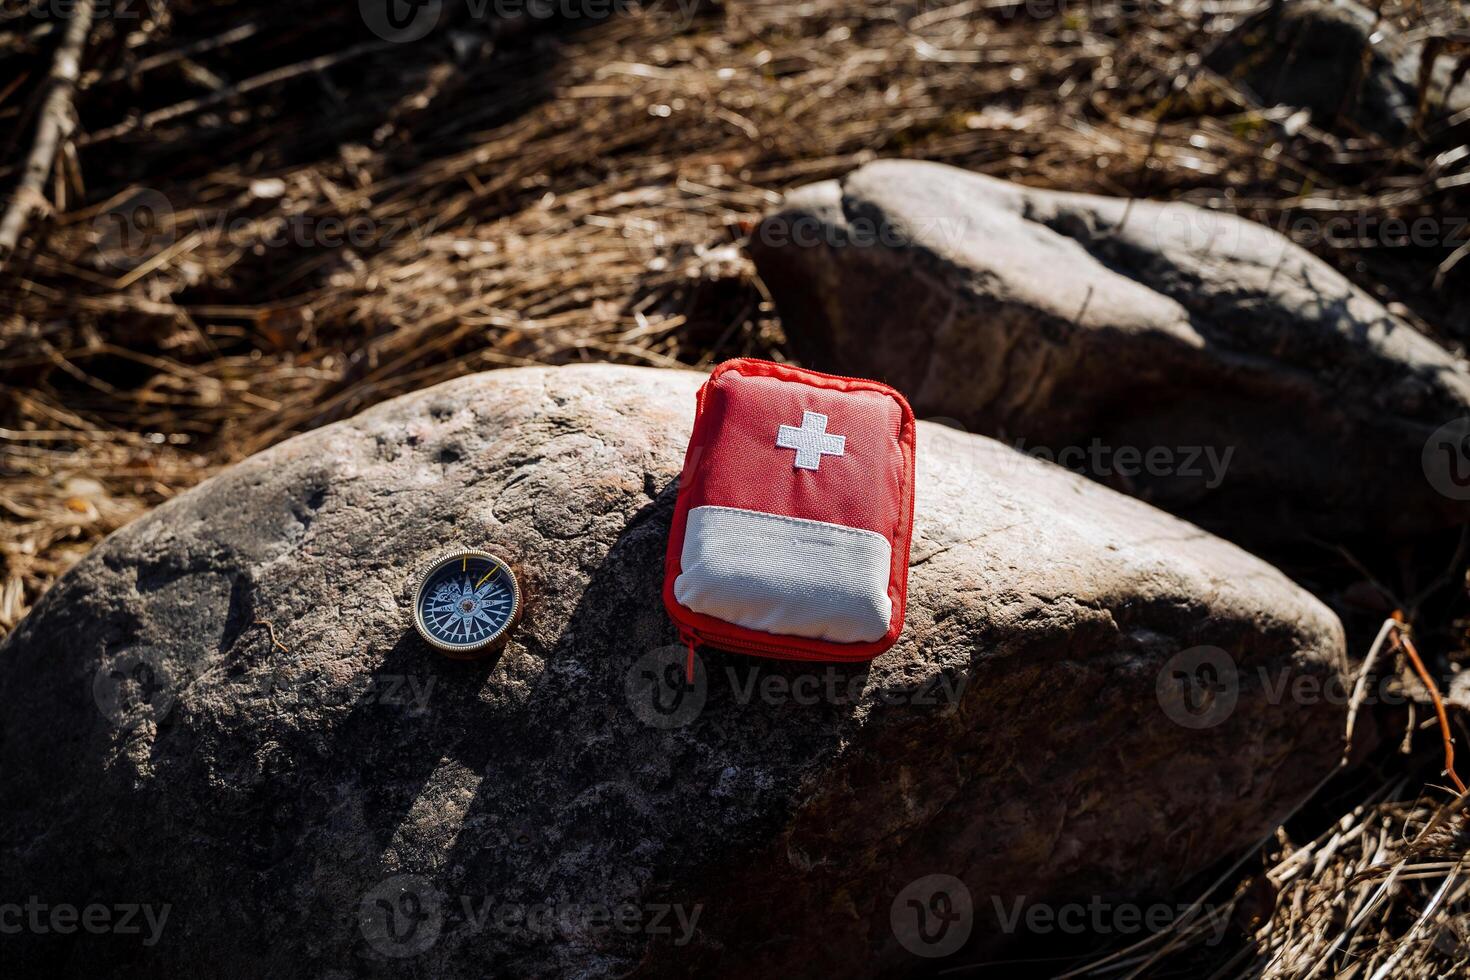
(1383, 893)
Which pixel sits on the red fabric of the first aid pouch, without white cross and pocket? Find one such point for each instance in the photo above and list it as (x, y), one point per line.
(734, 462)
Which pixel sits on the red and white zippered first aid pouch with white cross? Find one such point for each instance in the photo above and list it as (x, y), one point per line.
(795, 515)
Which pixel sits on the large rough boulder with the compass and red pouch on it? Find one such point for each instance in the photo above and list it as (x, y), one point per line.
(224, 716)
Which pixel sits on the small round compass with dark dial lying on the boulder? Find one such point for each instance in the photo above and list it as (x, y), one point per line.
(467, 603)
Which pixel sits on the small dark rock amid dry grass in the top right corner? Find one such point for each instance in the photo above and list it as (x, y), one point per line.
(1337, 57)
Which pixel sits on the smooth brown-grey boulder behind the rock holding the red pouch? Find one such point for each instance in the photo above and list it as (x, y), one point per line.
(1190, 358)
